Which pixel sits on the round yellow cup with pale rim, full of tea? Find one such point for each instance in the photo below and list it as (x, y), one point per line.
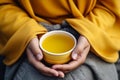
(57, 46)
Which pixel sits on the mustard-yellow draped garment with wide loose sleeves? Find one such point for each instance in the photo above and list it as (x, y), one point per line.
(97, 20)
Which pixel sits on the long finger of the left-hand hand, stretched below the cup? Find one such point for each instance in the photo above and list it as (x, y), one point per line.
(40, 66)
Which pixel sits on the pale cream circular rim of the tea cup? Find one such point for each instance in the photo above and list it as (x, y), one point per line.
(58, 31)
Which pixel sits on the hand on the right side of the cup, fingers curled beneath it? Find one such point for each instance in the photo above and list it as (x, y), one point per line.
(78, 55)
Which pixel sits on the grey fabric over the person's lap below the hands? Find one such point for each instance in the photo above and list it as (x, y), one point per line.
(93, 69)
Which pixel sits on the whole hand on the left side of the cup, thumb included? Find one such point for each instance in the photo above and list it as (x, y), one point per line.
(35, 55)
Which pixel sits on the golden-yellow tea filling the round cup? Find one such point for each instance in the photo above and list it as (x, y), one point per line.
(58, 43)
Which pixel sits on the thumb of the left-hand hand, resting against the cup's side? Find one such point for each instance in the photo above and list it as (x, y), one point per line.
(34, 47)
